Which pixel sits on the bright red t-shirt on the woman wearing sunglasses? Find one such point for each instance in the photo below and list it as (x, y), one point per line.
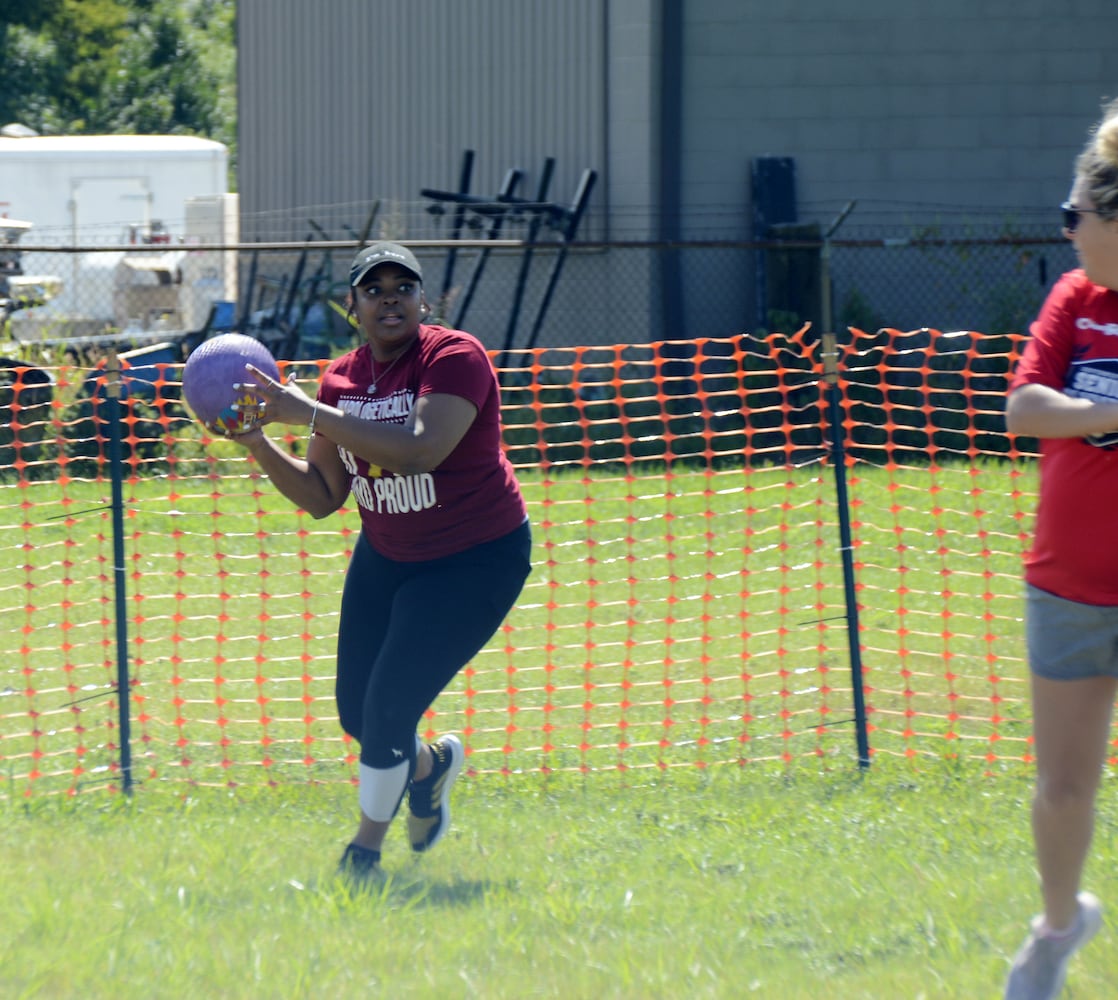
(1075, 350)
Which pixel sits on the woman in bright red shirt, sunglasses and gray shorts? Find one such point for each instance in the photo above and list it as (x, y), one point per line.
(1065, 392)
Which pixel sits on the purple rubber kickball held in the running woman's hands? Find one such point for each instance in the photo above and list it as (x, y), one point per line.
(212, 372)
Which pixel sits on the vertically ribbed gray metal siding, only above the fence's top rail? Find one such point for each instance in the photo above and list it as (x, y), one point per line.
(346, 102)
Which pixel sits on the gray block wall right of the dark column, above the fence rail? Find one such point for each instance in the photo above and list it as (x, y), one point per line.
(977, 107)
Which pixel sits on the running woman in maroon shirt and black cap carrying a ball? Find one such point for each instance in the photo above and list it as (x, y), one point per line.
(409, 426)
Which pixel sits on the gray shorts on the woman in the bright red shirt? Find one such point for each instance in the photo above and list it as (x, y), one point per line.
(1068, 640)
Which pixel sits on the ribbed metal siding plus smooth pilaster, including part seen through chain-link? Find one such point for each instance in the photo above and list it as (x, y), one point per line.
(349, 107)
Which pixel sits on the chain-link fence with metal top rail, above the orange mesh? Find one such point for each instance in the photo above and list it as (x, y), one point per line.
(551, 294)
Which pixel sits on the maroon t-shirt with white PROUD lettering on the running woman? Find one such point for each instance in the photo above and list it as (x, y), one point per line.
(473, 497)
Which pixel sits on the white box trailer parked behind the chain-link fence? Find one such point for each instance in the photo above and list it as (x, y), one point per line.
(106, 191)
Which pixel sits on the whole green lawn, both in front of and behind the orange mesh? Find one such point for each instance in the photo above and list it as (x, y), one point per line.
(728, 857)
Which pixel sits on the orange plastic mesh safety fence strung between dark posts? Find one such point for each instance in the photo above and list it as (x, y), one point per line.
(687, 607)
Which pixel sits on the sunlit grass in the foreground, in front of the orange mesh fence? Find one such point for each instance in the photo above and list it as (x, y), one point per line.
(899, 883)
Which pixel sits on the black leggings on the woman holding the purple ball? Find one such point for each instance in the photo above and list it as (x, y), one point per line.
(409, 628)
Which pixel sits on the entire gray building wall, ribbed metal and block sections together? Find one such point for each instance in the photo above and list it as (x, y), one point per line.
(960, 116)
